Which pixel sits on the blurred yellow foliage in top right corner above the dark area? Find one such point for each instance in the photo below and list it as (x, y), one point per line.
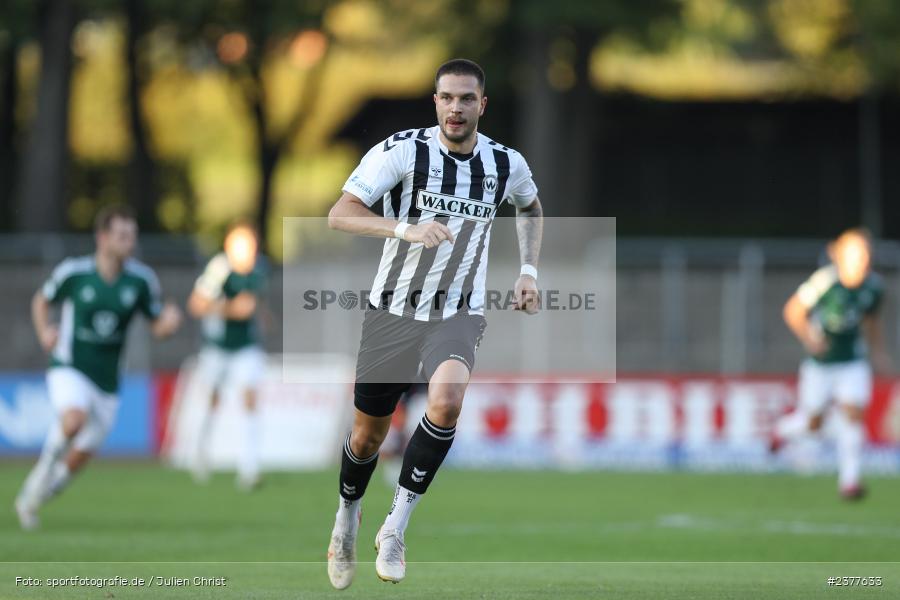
(744, 49)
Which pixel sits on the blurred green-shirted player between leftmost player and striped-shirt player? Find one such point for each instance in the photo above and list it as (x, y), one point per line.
(227, 297)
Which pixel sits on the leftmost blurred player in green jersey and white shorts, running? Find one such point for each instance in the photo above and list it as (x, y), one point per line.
(99, 296)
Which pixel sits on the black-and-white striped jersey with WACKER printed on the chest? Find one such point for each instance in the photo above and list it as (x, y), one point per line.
(419, 180)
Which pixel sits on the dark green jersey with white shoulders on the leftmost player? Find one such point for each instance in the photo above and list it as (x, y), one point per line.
(95, 314)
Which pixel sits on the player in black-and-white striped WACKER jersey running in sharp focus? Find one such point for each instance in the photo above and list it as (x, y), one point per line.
(440, 187)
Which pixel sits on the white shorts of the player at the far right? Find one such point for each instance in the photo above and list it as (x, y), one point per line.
(848, 383)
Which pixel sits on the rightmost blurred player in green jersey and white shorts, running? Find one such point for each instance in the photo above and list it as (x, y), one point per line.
(834, 314)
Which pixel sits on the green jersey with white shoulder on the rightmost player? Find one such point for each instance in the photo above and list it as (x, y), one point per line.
(839, 311)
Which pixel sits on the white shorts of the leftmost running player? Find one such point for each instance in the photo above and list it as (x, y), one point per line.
(69, 389)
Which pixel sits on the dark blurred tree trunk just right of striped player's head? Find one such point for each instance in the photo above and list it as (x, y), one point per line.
(559, 108)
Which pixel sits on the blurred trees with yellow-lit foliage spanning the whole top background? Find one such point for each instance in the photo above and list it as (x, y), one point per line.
(200, 111)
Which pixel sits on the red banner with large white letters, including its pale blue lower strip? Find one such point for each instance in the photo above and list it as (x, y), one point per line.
(643, 421)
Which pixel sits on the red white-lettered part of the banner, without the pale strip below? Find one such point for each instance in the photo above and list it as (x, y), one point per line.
(665, 407)
